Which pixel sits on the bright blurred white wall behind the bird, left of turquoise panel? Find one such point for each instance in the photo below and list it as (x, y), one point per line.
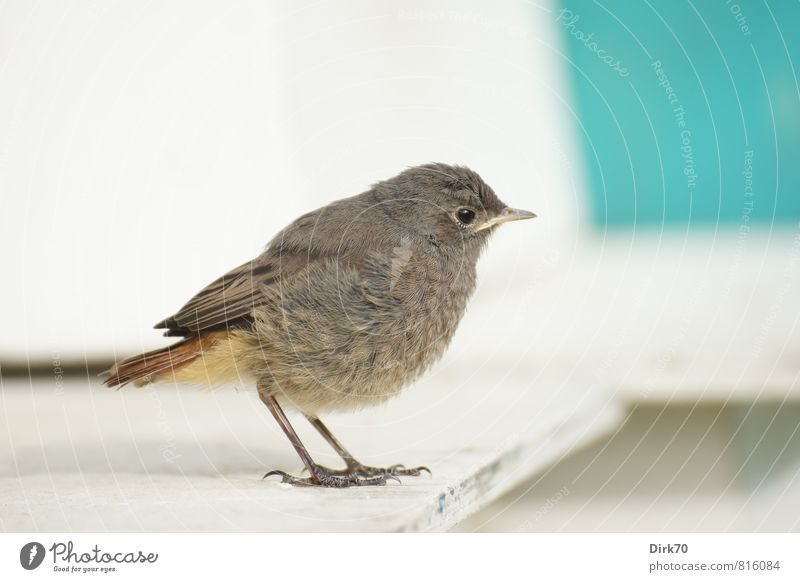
(145, 149)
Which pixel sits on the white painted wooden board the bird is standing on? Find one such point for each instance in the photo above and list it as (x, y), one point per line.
(78, 457)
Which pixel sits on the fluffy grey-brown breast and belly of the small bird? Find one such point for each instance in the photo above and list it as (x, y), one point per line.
(350, 340)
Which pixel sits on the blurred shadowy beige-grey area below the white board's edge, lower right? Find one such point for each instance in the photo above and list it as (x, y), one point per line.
(678, 468)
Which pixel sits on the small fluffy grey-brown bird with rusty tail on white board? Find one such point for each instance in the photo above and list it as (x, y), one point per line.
(345, 307)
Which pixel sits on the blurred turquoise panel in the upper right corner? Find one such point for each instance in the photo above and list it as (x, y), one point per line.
(688, 113)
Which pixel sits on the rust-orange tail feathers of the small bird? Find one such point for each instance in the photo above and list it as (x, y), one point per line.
(147, 367)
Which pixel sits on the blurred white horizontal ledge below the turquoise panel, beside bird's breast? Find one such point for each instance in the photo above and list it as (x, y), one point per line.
(652, 315)
